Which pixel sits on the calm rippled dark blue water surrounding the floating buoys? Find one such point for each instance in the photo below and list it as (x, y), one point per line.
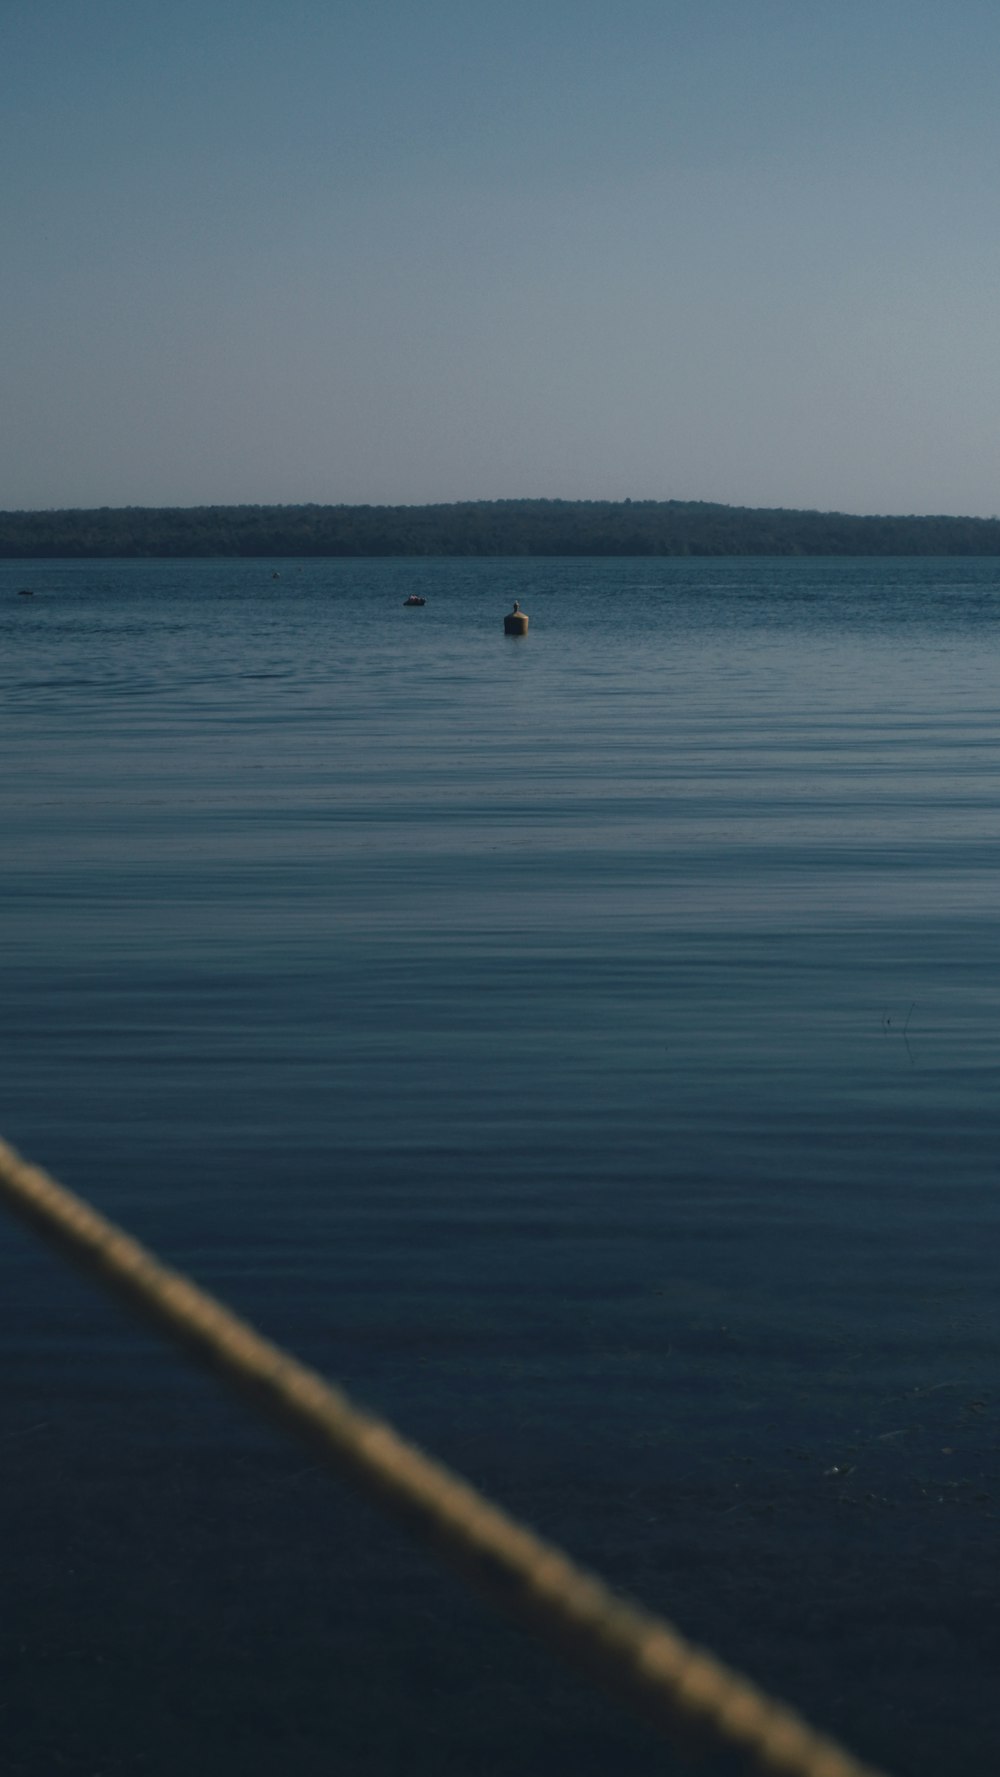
(585, 1049)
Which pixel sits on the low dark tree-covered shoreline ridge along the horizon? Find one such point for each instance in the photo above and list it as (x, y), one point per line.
(486, 529)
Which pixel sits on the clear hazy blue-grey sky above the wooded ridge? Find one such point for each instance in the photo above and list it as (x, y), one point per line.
(415, 251)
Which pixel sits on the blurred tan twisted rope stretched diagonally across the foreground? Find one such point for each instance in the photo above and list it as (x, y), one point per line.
(631, 1653)
